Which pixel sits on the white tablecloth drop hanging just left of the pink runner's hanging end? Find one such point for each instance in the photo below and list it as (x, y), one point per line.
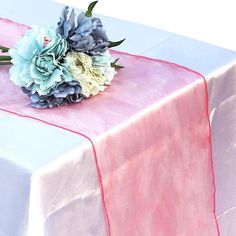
(65, 197)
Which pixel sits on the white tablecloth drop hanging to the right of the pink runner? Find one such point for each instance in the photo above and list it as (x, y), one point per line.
(223, 103)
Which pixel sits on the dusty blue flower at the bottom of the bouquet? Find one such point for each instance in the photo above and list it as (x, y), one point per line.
(63, 93)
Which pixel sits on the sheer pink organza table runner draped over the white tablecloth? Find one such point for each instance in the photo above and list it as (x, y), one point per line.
(151, 134)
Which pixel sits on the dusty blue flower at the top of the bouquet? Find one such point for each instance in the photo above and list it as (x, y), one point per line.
(86, 36)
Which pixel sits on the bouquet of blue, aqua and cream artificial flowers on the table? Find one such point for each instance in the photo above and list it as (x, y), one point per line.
(59, 65)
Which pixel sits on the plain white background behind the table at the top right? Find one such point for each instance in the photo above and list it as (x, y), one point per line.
(212, 21)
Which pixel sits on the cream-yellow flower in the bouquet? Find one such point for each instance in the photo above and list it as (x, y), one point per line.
(91, 77)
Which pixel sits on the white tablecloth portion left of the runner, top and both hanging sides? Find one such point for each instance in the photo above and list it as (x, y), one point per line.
(37, 194)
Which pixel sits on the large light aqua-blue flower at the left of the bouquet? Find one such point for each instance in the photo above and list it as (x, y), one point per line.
(38, 60)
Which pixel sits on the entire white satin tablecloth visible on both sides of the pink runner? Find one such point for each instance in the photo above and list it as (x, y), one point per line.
(28, 170)
